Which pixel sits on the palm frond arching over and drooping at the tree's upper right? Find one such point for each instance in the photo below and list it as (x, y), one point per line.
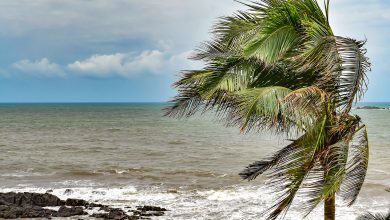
(340, 61)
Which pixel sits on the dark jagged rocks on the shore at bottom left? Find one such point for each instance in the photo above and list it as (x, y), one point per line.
(44, 205)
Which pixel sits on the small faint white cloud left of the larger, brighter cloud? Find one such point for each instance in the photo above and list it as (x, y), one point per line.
(41, 67)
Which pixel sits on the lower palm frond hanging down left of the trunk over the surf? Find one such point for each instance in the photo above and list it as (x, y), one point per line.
(288, 168)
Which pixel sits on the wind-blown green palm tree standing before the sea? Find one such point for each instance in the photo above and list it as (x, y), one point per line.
(278, 66)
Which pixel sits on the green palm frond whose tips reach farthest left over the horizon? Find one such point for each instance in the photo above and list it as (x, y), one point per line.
(212, 86)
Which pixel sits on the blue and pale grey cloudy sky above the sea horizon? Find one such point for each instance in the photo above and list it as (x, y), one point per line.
(133, 50)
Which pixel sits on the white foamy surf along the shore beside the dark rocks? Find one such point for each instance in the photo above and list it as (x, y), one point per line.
(241, 202)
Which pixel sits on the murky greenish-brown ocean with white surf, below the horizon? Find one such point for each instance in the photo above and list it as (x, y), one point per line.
(129, 155)
